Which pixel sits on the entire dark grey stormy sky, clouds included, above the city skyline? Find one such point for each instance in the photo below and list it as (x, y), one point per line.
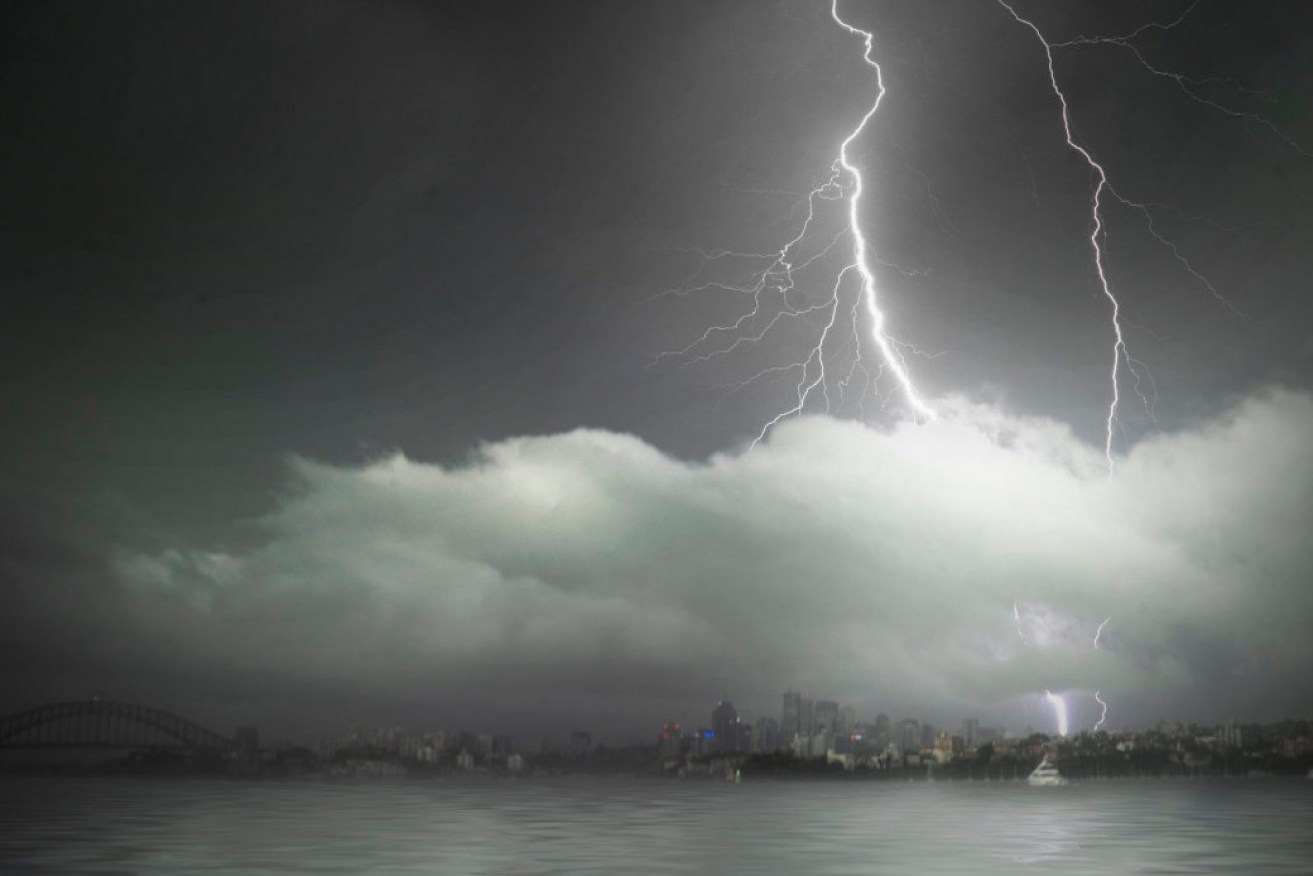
(334, 392)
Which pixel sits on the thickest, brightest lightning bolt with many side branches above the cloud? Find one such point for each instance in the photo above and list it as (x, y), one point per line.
(771, 297)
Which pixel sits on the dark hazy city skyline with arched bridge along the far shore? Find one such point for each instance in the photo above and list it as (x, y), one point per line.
(809, 728)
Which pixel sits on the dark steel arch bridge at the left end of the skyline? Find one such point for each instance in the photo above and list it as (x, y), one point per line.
(99, 724)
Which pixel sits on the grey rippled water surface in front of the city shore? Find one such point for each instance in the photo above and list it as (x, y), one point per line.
(574, 827)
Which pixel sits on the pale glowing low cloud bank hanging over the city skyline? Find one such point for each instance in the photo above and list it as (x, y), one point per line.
(941, 568)
